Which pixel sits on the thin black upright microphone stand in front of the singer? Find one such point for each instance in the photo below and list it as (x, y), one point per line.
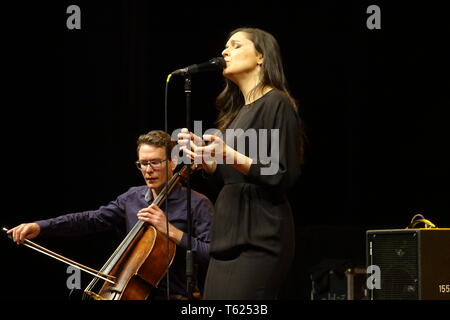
(189, 253)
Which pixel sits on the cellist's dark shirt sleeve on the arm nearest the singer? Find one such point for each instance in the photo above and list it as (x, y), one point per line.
(202, 215)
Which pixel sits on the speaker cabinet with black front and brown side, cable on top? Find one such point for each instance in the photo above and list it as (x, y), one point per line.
(413, 263)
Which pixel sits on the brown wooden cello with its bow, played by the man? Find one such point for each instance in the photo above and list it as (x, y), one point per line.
(137, 265)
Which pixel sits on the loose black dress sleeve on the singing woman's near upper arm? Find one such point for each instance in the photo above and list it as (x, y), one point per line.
(278, 161)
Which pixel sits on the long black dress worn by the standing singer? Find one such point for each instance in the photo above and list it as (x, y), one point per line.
(252, 235)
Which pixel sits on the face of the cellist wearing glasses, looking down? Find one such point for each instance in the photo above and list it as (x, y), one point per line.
(154, 173)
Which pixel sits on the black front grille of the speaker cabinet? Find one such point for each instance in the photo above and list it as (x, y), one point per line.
(396, 255)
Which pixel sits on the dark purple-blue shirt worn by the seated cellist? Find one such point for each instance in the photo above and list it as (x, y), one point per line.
(122, 212)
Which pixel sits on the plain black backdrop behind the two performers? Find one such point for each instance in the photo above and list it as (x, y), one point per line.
(374, 104)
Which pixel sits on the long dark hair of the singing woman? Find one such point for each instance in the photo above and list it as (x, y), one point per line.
(231, 99)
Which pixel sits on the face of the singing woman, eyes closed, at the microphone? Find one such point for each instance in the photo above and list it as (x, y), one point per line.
(240, 56)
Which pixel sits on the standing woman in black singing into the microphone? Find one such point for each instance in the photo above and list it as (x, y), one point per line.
(258, 156)
